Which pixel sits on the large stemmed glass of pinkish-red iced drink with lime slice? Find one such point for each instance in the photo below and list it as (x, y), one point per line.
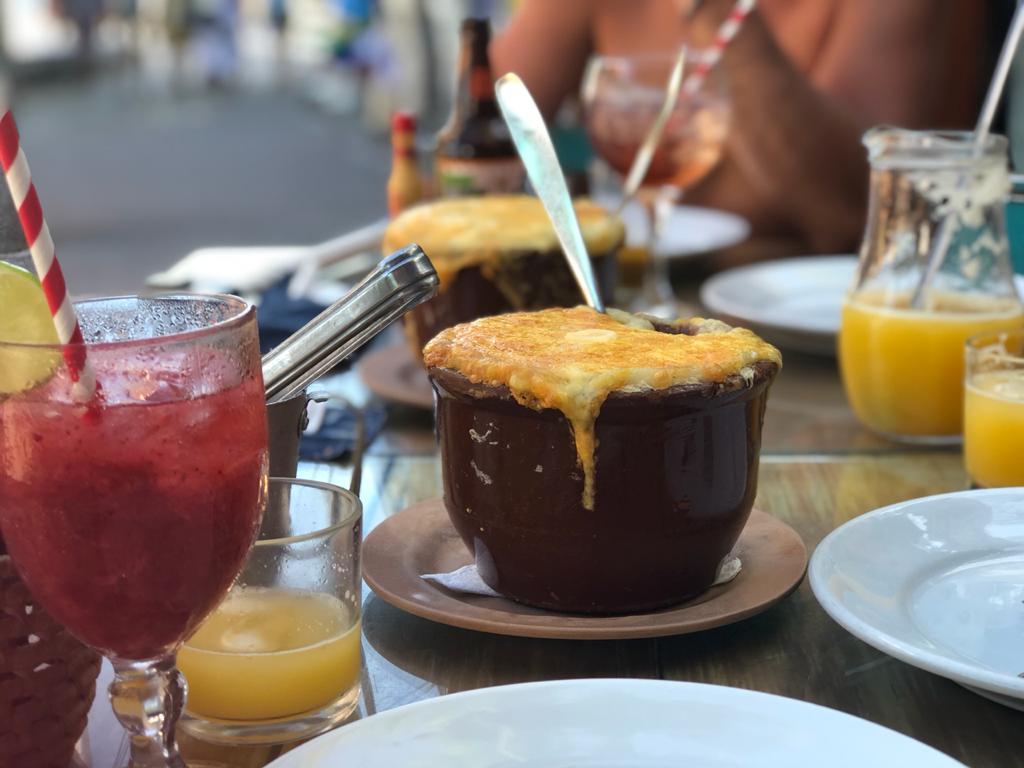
(131, 516)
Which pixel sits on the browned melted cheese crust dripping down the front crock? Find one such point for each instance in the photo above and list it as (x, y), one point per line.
(572, 360)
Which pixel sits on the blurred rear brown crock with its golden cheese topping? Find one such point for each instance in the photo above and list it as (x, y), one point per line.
(499, 254)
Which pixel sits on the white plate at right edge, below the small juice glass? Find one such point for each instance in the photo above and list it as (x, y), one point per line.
(937, 583)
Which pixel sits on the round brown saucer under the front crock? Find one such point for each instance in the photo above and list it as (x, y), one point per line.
(421, 540)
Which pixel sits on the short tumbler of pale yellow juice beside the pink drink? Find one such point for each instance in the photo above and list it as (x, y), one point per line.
(280, 659)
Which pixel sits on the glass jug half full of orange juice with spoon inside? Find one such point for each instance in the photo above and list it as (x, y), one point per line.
(902, 340)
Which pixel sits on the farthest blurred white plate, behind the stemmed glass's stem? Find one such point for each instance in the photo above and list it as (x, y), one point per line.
(690, 232)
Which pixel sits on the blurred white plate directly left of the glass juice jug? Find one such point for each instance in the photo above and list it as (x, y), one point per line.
(795, 304)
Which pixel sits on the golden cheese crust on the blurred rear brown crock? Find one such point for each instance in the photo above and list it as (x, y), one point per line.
(458, 233)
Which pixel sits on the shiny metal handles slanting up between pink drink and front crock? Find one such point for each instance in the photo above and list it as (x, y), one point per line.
(401, 282)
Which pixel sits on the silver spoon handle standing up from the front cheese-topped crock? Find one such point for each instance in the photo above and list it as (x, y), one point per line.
(538, 154)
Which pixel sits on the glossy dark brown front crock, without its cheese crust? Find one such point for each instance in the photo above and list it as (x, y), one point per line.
(674, 479)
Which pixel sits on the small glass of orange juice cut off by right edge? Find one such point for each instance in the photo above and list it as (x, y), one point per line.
(994, 410)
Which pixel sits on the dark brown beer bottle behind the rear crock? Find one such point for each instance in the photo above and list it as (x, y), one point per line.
(476, 154)
